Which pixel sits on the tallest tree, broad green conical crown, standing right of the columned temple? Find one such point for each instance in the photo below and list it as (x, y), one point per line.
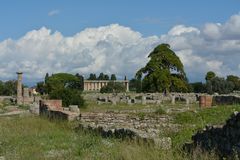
(163, 72)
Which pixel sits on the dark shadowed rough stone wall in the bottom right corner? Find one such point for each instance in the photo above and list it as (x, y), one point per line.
(225, 140)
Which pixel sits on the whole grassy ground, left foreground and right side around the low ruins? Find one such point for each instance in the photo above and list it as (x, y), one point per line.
(30, 138)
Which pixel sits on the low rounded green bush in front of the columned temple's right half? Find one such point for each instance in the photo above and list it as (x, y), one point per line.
(113, 87)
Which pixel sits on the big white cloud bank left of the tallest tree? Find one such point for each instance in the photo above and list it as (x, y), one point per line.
(109, 49)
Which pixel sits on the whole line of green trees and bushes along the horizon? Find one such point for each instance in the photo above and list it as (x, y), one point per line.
(164, 72)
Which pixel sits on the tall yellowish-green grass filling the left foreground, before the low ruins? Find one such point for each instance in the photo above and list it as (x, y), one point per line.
(36, 138)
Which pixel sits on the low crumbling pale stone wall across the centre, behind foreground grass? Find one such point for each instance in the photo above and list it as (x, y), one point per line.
(133, 126)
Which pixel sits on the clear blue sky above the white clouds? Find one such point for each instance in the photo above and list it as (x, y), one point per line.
(149, 17)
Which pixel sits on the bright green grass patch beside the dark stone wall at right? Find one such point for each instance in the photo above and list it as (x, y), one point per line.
(192, 121)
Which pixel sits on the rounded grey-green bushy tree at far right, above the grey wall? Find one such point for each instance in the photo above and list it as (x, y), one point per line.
(219, 85)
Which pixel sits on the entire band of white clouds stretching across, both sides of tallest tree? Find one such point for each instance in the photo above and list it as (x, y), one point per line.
(121, 50)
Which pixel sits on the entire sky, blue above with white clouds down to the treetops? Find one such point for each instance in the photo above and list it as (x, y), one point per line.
(85, 36)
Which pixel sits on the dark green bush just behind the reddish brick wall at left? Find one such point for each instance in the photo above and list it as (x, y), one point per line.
(68, 96)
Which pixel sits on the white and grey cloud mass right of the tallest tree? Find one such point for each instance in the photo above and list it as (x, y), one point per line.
(214, 47)
